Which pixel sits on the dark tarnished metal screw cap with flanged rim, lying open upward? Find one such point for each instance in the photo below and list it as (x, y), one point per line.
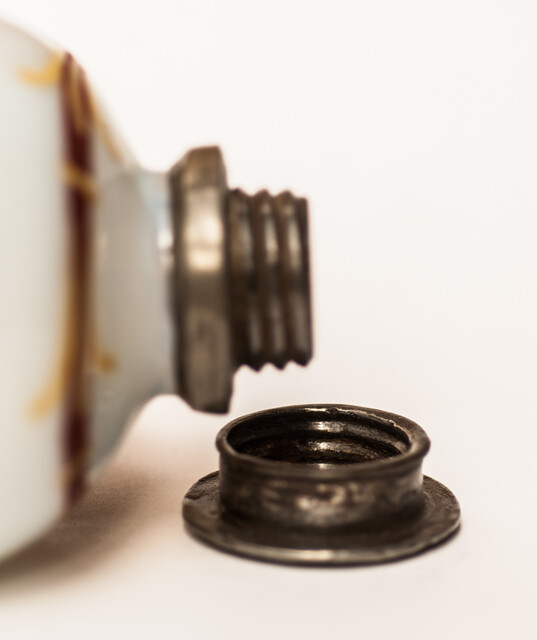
(321, 485)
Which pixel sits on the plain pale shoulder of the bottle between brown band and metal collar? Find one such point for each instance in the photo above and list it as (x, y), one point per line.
(132, 307)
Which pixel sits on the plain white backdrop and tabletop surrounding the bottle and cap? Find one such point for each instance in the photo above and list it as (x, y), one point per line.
(412, 128)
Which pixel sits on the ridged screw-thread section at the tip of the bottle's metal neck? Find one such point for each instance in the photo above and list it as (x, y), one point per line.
(269, 278)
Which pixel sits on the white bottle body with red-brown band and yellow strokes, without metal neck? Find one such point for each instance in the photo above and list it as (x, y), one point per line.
(85, 324)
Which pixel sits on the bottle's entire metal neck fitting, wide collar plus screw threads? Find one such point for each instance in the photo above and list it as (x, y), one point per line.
(241, 277)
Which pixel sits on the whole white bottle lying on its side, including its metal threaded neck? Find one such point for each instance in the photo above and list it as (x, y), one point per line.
(118, 284)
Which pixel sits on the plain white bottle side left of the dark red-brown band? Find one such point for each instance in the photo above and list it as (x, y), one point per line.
(33, 266)
